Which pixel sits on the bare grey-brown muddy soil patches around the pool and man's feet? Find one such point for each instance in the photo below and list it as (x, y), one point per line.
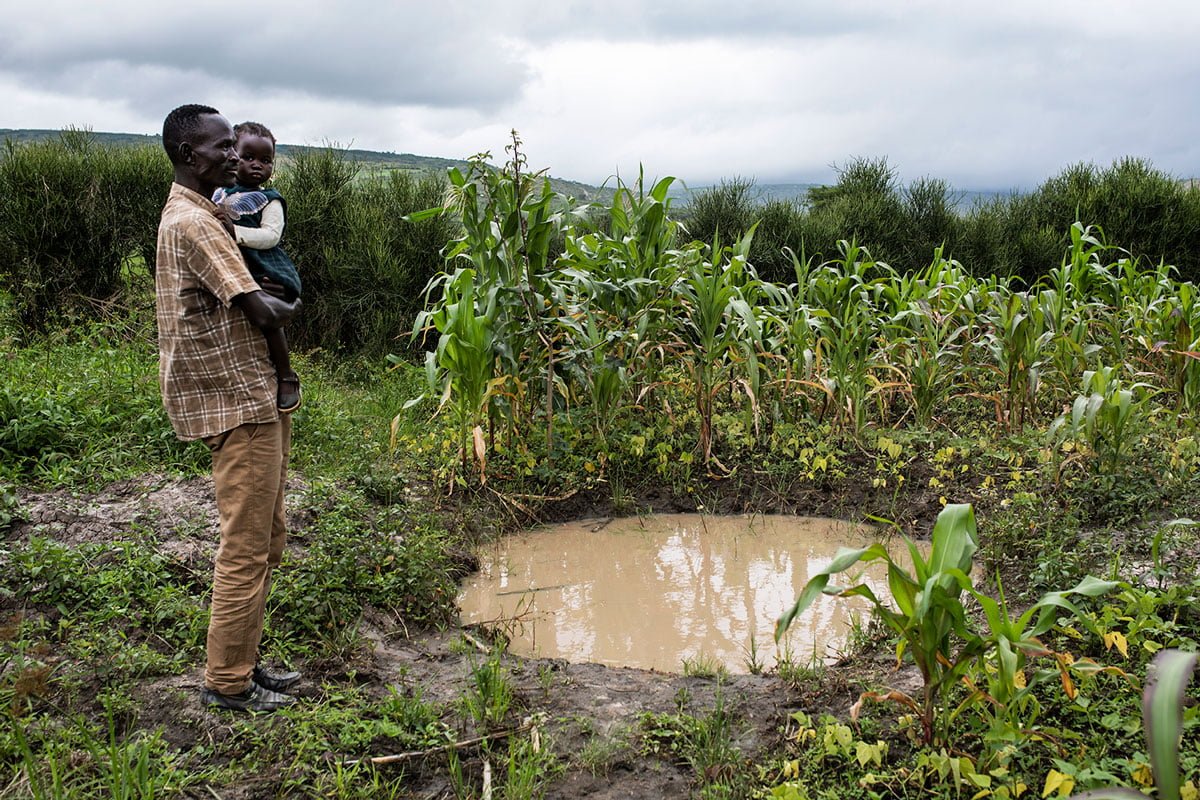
(574, 705)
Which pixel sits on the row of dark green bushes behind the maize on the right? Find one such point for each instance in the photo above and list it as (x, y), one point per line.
(1153, 215)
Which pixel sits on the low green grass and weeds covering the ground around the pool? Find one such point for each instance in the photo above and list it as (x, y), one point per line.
(385, 508)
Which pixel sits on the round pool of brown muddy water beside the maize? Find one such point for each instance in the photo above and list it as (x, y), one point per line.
(659, 591)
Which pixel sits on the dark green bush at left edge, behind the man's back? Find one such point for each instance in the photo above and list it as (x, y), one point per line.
(75, 216)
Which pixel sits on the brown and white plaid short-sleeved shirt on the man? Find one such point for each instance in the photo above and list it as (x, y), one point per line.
(214, 368)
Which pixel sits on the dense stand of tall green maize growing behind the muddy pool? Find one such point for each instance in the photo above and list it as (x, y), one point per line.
(628, 315)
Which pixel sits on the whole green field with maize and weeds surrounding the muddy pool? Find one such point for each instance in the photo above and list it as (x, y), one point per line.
(572, 362)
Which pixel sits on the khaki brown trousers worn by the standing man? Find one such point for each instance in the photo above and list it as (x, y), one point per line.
(250, 466)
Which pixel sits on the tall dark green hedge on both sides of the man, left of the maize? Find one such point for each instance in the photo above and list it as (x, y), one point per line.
(79, 225)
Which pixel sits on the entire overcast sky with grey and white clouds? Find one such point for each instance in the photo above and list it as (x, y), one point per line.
(998, 95)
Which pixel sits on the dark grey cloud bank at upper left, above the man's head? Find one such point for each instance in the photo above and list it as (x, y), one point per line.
(373, 53)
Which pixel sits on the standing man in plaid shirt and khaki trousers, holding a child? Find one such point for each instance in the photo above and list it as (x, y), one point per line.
(219, 386)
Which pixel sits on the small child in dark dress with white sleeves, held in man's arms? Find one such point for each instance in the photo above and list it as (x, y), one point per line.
(259, 236)
